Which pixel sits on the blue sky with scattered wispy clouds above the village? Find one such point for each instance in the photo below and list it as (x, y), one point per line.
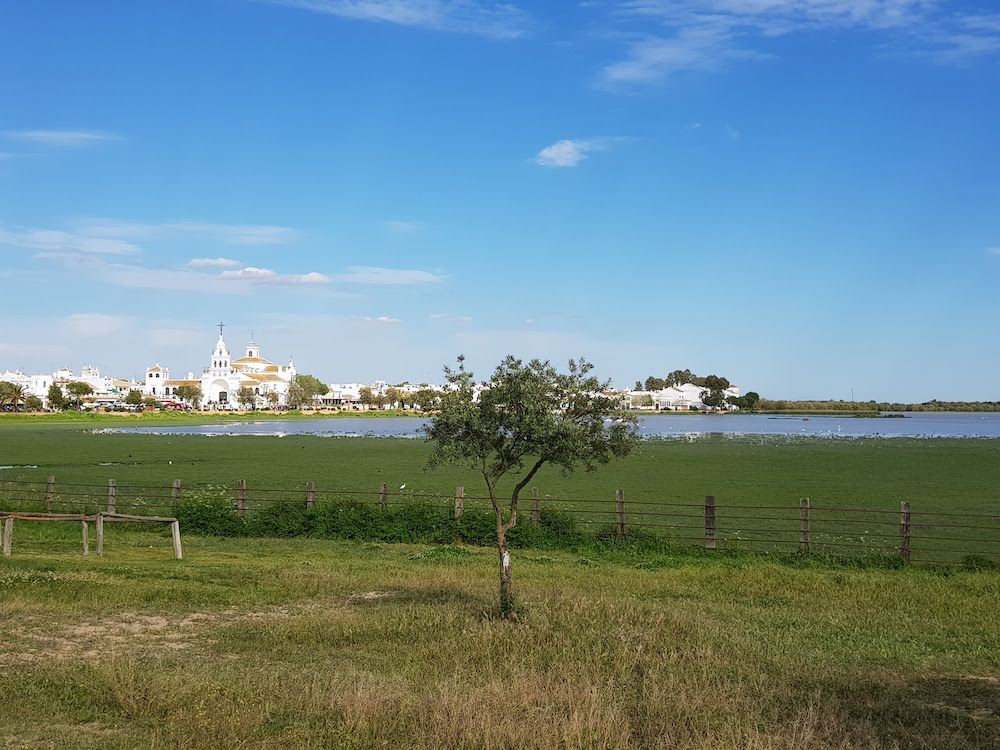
(801, 195)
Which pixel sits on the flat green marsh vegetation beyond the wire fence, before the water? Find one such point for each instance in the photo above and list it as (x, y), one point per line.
(955, 476)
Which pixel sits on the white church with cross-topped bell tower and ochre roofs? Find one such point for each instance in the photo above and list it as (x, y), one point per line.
(224, 377)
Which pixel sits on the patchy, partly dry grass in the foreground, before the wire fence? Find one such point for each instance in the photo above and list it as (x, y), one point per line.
(318, 644)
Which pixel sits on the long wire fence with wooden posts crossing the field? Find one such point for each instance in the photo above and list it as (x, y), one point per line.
(911, 534)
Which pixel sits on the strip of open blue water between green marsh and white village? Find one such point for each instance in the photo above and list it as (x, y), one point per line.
(914, 424)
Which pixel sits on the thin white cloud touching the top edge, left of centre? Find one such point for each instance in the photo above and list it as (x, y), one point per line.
(492, 20)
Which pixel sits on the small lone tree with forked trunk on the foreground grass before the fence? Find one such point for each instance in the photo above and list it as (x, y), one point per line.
(526, 416)
